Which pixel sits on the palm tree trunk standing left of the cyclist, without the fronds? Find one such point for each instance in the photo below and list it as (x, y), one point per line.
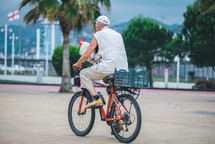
(66, 85)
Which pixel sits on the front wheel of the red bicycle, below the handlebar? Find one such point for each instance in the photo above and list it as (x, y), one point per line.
(81, 120)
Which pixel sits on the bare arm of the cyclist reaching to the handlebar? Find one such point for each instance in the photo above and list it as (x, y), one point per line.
(86, 55)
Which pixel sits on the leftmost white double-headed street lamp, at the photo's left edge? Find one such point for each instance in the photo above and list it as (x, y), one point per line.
(5, 48)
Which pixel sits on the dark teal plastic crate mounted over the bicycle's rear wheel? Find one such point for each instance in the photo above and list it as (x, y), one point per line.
(131, 79)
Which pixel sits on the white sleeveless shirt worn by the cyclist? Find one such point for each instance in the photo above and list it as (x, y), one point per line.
(111, 50)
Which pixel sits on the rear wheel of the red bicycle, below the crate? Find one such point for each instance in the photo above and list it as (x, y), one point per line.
(127, 129)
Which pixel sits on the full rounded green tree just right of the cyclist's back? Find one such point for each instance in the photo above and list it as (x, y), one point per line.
(144, 41)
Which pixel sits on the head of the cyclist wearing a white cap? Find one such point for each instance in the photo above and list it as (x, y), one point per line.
(101, 22)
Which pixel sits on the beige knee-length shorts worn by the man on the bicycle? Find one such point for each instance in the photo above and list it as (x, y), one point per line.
(88, 75)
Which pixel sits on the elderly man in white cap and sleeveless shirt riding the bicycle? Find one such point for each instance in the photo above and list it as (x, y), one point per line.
(113, 55)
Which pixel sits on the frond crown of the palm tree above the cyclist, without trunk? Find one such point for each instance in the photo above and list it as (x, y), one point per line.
(72, 14)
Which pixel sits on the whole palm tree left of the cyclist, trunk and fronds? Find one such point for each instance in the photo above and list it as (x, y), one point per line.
(72, 15)
